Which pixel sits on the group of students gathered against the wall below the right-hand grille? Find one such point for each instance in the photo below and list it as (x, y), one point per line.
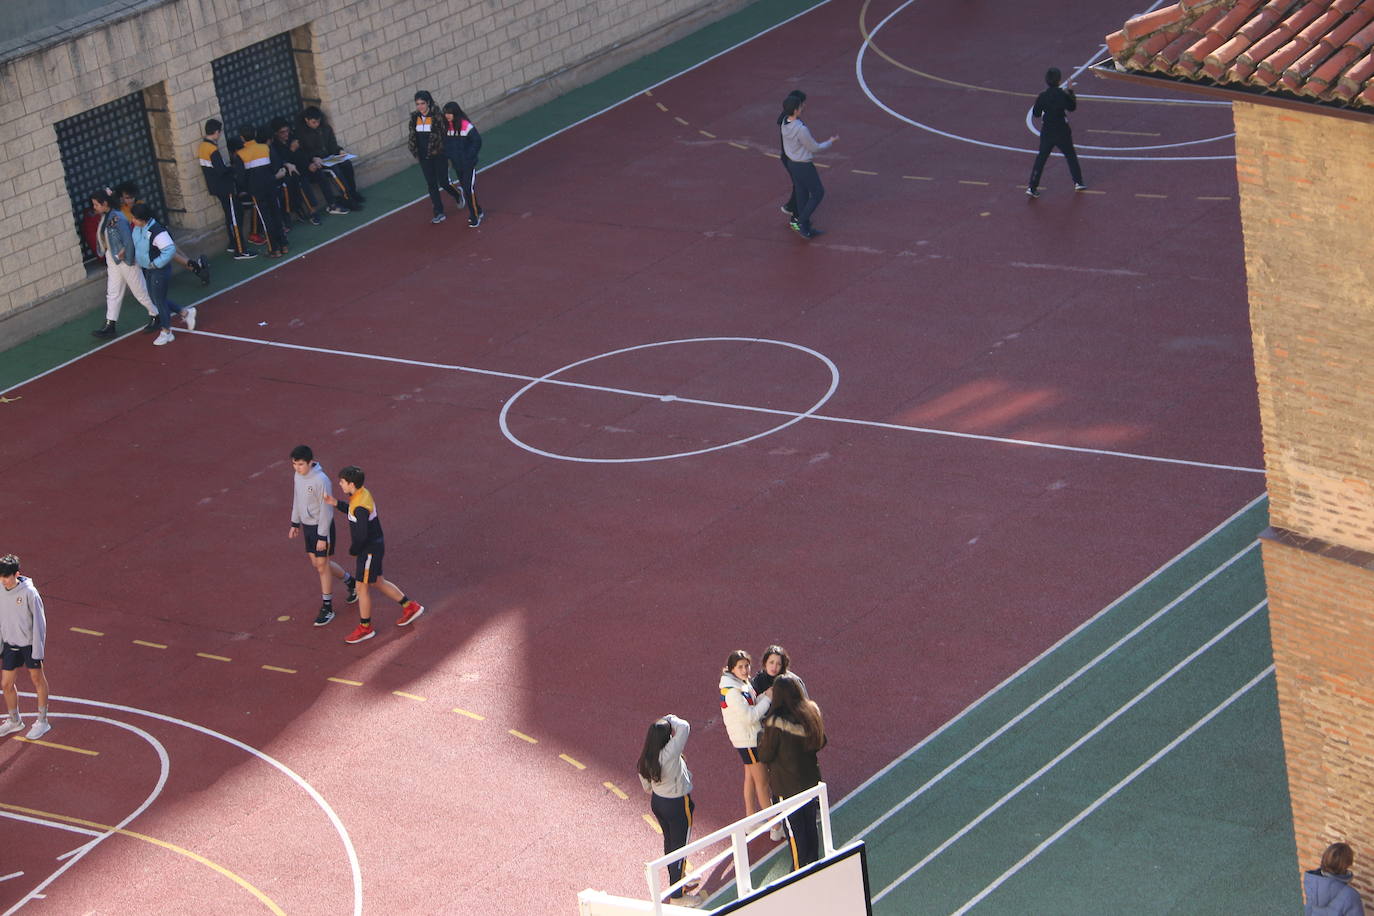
(271, 176)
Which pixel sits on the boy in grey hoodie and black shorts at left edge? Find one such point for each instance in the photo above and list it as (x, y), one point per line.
(24, 630)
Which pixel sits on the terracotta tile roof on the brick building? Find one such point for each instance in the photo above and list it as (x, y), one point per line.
(1310, 50)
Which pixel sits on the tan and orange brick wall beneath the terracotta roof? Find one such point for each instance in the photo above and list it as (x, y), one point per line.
(1307, 211)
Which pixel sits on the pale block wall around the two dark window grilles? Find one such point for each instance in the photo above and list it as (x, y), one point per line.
(362, 60)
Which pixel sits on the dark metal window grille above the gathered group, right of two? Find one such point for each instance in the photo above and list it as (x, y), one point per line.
(258, 84)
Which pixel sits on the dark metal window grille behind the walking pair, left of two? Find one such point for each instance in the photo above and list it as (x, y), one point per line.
(105, 148)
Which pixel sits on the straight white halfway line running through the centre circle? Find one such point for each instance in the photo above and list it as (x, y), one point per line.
(655, 396)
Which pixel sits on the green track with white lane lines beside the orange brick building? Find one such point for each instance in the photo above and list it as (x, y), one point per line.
(1137, 767)
